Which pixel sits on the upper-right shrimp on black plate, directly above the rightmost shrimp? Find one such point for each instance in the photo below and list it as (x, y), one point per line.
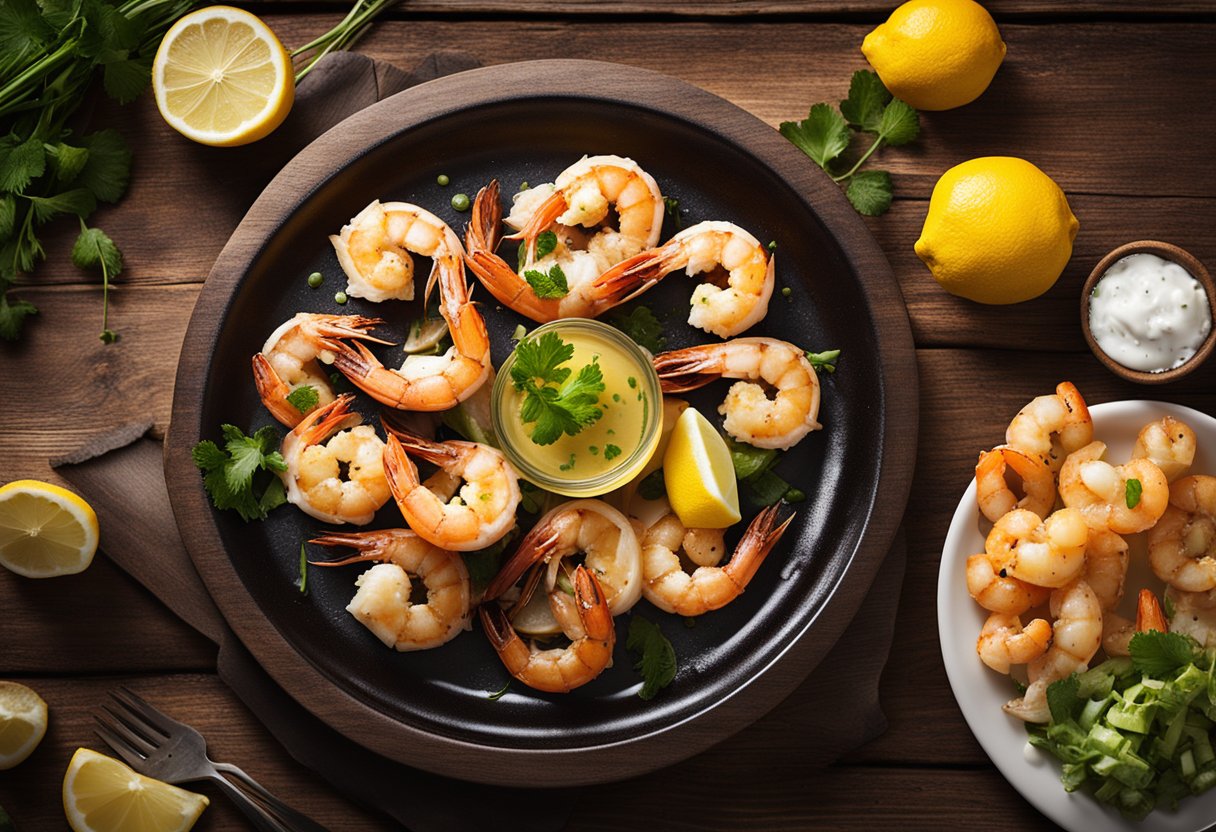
(707, 248)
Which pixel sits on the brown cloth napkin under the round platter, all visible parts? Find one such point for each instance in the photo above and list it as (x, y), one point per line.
(138, 532)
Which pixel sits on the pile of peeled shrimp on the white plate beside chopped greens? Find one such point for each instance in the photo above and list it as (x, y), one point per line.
(1055, 564)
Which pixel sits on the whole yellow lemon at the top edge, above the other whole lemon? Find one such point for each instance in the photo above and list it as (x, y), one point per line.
(936, 54)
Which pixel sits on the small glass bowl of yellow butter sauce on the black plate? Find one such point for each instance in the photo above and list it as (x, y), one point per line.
(610, 452)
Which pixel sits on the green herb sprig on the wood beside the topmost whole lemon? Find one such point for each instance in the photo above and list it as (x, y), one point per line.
(826, 134)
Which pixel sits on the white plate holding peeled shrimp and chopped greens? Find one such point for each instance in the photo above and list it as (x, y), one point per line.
(981, 693)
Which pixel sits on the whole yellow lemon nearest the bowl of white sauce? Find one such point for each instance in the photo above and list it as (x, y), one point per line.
(999, 231)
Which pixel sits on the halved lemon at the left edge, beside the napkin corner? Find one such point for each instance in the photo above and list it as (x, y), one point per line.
(46, 531)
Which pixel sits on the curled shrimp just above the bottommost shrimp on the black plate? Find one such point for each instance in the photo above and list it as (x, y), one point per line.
(590, 527)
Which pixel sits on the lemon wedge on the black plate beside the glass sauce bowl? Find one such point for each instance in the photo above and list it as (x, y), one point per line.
(700, 476)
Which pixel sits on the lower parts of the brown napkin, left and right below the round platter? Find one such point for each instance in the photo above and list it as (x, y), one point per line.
(138, 519)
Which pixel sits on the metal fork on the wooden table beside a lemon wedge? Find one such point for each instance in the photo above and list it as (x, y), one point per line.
(161, 747)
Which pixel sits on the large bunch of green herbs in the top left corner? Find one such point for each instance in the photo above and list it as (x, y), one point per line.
(50, 54)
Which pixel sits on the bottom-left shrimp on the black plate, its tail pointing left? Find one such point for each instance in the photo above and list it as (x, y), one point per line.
(384, 604)
